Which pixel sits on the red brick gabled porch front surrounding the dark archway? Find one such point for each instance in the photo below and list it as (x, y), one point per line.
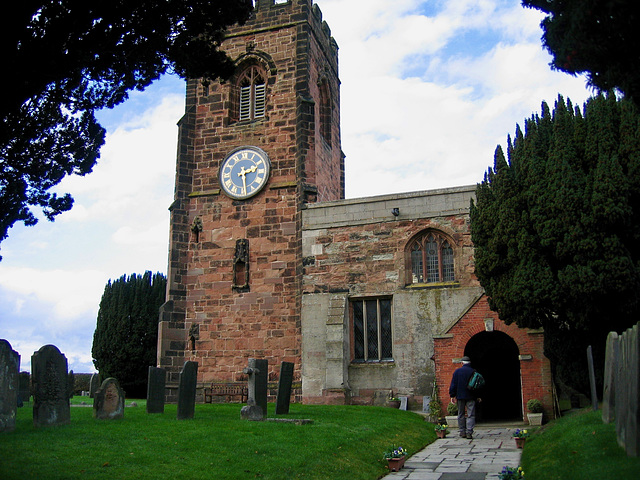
(535, 369)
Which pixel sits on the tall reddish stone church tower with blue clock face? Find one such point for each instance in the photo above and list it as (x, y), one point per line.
(252, 152)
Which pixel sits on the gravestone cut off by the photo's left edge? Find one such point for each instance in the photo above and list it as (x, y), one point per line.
(9, 386)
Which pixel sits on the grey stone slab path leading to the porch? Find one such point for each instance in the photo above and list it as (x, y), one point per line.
(455, 458)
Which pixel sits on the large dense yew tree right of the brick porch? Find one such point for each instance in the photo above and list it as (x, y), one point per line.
(556, 229)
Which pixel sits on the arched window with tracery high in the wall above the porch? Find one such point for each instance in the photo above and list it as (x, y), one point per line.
(431, 258)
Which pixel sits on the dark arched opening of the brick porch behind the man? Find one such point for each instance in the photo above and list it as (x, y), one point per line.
(495, 356)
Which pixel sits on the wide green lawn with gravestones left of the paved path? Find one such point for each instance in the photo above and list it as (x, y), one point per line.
(344, 442)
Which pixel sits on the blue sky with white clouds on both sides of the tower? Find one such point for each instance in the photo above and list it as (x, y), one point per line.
(429, 89)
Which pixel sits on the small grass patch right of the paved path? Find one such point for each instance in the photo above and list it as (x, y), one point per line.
(578, 447)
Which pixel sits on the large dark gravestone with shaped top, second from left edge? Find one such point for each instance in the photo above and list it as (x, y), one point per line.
(50, 387)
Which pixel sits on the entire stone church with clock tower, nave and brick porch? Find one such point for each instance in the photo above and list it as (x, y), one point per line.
(368, 297)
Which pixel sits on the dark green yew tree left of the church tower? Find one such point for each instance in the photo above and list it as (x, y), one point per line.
(126, 336)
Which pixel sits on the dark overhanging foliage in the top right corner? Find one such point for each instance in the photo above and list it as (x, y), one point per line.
(598, 37)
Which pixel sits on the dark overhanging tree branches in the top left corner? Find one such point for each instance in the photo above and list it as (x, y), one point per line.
(63, 59)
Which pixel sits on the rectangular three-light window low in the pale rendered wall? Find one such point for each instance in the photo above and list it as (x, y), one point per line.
(371, 330)
